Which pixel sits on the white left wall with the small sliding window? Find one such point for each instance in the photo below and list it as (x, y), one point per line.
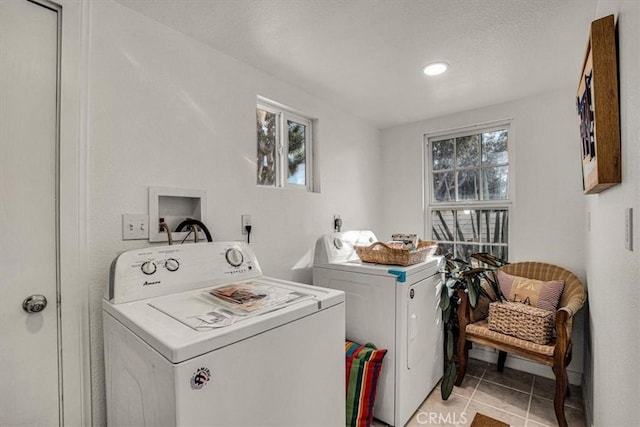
(165, 110)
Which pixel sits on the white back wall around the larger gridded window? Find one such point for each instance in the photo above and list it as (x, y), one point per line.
(547, 221)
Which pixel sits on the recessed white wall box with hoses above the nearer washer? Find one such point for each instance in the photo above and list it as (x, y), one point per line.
(175, 205)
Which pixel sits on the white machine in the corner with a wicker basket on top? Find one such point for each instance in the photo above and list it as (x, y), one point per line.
(392, 307)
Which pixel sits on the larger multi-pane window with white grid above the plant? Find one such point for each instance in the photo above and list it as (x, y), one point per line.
(468, 191)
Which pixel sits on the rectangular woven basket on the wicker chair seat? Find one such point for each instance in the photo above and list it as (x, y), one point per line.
(522, 321)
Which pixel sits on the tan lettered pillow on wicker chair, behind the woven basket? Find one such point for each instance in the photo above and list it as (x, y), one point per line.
(536, 293)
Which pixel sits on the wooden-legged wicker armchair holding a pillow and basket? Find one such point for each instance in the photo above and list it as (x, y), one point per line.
(556, 354)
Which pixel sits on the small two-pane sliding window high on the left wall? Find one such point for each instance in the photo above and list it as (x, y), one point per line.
(283, 147)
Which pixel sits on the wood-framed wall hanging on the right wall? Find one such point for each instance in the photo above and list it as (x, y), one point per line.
(598, 109)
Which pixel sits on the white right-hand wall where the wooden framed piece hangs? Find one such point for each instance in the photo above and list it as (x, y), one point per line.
(612, 372)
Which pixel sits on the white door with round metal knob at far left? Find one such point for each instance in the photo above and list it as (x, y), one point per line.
(29, 361)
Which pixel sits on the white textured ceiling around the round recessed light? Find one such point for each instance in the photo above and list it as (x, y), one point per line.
(366, 56)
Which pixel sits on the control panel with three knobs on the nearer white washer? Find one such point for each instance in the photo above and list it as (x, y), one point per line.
(160, 270)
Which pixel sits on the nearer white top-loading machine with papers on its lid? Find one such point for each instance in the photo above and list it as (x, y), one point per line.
(263, 352)
